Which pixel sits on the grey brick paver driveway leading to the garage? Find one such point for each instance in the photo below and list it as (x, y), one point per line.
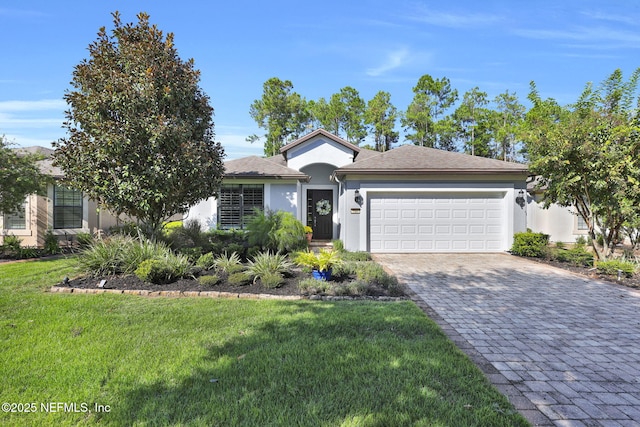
(565, 349)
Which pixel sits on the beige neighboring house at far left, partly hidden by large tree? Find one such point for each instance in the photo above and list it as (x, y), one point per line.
(66, 212)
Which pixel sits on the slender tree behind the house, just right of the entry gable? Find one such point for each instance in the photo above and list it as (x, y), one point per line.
(381, 115)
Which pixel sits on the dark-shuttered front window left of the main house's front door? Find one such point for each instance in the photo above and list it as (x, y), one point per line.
(236, 204)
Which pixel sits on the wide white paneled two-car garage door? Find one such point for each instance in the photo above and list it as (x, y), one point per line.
(437, 223)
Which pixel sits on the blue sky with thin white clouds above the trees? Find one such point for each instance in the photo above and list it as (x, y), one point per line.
(321, 47)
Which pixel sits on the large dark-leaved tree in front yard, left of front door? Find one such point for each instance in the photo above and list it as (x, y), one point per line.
(140, 131)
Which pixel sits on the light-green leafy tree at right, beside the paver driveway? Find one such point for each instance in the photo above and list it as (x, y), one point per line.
(588, 155)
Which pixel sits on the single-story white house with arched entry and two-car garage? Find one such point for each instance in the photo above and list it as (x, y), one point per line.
(409, 199)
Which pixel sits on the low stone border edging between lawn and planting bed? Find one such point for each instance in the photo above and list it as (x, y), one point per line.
(218, 294)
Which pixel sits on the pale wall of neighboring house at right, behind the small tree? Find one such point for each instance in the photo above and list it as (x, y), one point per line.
(562, 224)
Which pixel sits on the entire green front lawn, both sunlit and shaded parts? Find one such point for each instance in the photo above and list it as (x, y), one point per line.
(205, 362)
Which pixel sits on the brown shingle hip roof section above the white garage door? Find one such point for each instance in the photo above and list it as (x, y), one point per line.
(411, 159)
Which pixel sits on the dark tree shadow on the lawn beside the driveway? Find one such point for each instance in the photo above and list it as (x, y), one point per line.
(325, 364)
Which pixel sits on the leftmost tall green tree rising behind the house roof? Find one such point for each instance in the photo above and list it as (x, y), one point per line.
(283, 113)
